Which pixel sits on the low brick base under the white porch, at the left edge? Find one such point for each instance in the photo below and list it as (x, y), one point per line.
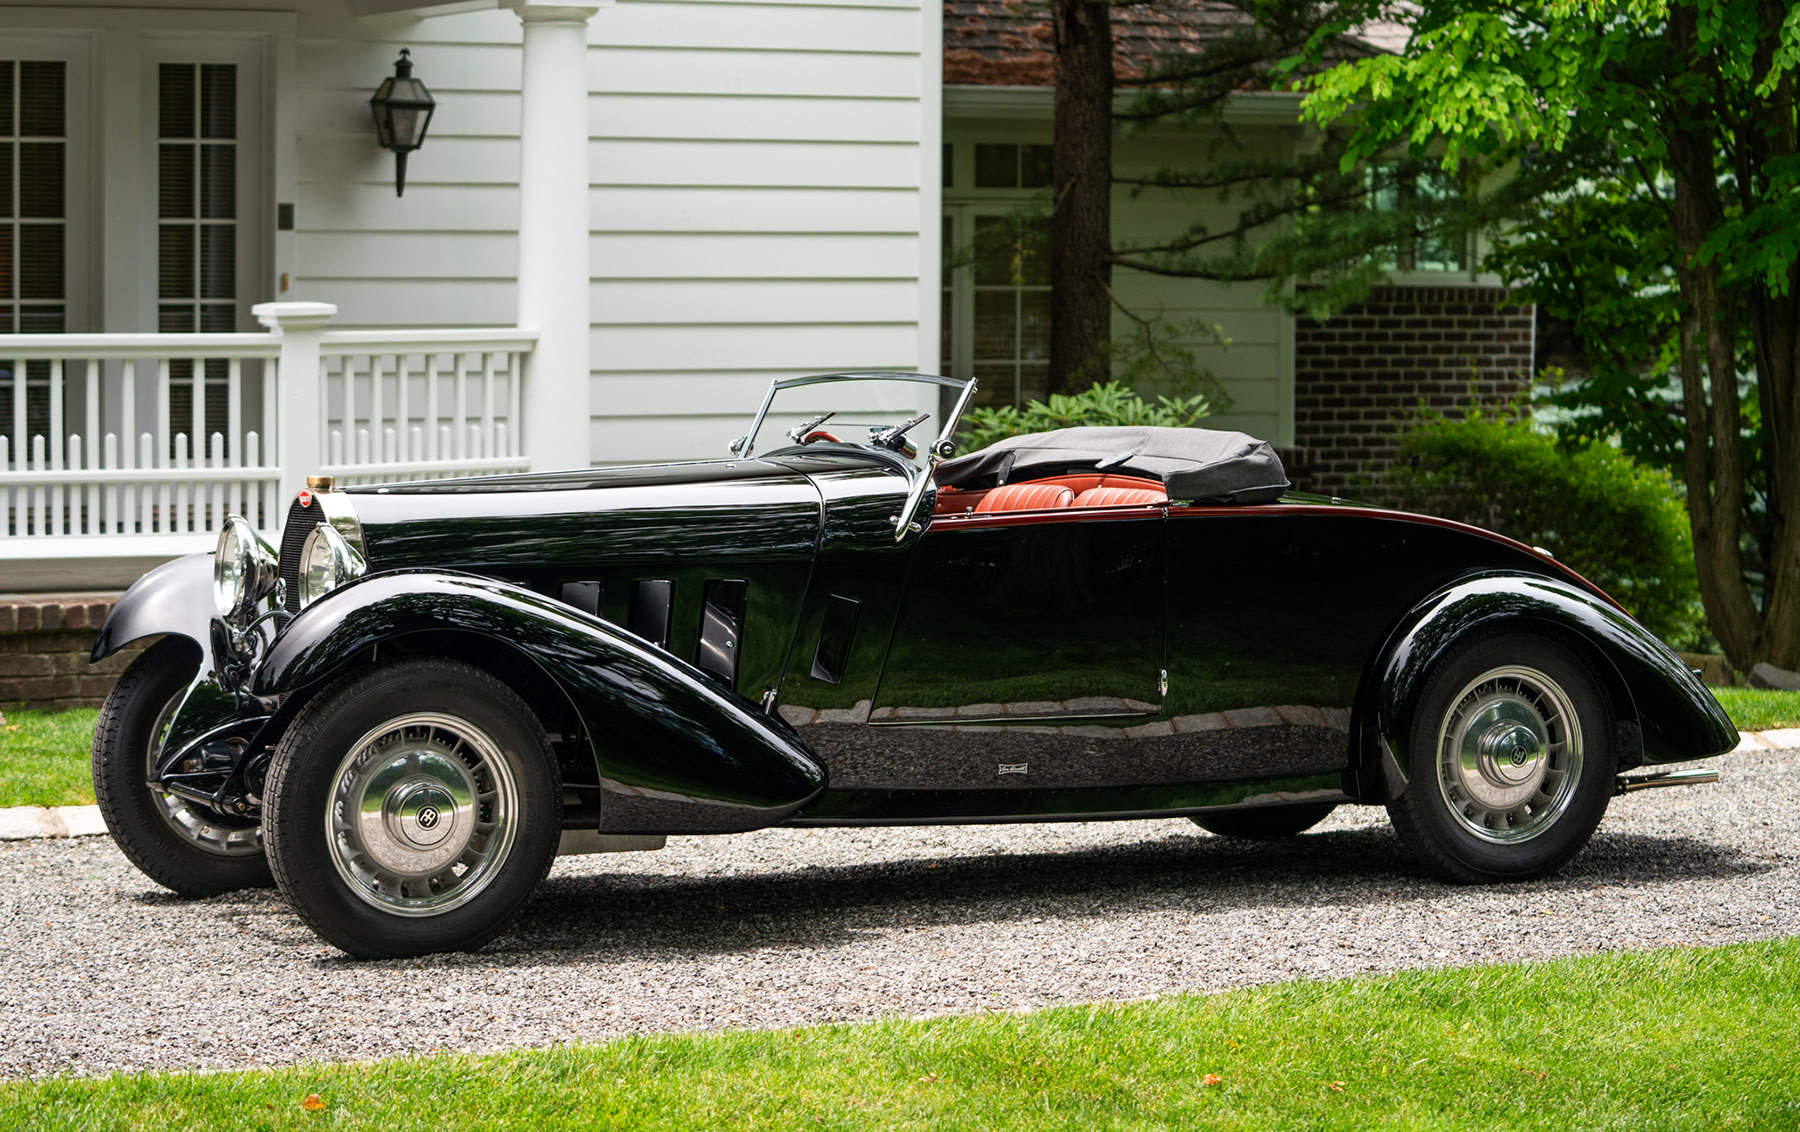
(44, 652)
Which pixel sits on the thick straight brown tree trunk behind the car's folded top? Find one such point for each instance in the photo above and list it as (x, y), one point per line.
(1081, 310)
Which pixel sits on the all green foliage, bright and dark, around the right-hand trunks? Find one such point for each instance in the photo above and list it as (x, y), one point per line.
(1657, 143)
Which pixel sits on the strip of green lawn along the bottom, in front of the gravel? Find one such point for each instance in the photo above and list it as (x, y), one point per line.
(1678, 1039)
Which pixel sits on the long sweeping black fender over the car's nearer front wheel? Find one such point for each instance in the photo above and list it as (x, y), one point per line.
(676, 751)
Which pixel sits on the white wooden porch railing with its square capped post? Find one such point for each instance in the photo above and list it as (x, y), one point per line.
(116, 445)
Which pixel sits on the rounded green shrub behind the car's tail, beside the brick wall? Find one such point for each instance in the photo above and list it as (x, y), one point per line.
(1612, 519)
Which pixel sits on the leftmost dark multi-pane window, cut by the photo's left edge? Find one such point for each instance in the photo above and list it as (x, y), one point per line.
(33, 229)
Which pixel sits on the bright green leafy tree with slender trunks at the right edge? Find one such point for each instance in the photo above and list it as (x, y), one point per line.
(1696, 102)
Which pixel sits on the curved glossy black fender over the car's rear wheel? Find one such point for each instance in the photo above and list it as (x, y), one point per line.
(1662, 712)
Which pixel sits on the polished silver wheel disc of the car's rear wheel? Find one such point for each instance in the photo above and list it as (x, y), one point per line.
(1509, 755)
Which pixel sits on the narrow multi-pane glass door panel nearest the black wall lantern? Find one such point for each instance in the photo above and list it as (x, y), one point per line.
(197, 215)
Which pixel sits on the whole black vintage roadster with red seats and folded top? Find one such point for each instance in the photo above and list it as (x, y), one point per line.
(436, 687)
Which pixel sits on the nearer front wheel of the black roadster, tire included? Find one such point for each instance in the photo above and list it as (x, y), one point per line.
(467, 818)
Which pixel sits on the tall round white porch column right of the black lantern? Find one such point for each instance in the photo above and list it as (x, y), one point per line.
(553, 273)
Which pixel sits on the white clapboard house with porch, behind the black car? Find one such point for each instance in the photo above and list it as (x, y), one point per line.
(624, 222)
